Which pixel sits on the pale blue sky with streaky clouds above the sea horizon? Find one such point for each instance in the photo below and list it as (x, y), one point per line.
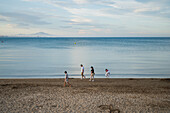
(85, 18)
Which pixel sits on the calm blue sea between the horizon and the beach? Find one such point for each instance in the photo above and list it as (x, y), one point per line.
(50, 57)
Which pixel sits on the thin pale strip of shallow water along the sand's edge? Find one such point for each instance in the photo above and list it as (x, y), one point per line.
(87, 75)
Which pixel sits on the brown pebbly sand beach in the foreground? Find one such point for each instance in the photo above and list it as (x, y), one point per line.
(101, 96)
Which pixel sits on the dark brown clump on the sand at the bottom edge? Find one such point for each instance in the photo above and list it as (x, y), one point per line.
(110, 107)
